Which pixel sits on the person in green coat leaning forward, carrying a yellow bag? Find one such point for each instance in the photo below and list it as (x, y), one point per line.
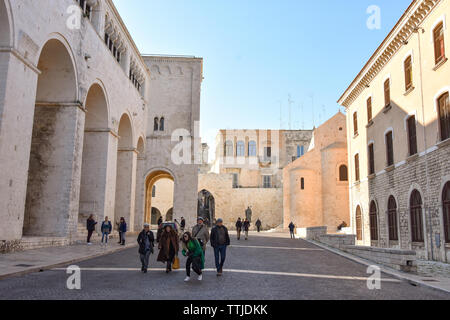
(195, 256)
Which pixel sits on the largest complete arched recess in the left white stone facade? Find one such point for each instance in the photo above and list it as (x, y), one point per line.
(51, 164)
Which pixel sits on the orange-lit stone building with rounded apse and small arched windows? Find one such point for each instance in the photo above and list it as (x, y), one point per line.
(315, 186)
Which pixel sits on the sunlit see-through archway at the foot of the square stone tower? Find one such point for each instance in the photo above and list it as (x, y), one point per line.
(160, 187)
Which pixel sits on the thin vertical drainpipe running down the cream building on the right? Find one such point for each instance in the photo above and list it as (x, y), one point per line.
(416, 30)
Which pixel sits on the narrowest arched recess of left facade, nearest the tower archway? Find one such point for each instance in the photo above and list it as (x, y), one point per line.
(124, 179)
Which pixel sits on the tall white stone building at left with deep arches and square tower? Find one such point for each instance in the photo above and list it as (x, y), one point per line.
(78, 105)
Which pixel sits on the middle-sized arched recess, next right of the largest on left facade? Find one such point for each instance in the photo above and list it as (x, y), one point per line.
(95, 156)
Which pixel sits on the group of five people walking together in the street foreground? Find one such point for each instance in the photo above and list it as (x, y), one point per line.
(192, 245)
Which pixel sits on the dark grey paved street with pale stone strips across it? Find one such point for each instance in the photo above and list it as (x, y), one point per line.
(265, 267)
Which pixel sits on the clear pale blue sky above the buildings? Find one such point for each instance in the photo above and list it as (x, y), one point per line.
(257, 53)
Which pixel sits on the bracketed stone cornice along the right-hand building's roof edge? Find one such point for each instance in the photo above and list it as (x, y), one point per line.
(405, 27)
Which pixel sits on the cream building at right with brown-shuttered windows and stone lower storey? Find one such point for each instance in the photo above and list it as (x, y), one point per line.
(398, 123)
